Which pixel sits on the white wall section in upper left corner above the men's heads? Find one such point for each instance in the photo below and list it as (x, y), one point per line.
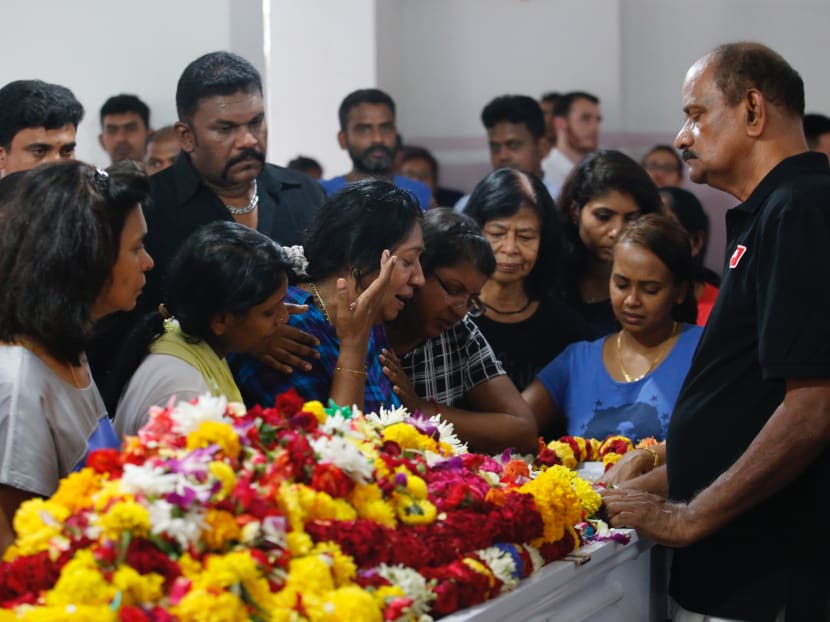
(99, 48)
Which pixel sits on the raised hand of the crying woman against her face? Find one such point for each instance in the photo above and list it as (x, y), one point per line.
(356, 314)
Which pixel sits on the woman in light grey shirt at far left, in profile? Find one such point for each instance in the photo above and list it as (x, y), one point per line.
(71, 252)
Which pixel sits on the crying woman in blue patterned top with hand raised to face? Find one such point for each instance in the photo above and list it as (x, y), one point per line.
(363, 253)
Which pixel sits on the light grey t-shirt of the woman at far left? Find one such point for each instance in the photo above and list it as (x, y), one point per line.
(47, 426)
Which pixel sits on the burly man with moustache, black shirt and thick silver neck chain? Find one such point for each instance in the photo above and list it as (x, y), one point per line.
(219, 175)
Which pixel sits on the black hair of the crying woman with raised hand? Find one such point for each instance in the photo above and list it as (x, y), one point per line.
(355, 225)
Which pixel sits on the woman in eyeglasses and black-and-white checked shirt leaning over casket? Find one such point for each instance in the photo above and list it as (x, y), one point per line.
(441, 362)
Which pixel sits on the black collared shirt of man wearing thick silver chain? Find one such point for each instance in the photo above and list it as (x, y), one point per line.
(288, 201)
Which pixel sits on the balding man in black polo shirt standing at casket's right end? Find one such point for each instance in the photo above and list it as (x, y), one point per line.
(747, 451)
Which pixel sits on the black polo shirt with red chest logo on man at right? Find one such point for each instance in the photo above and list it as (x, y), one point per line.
(771, 323)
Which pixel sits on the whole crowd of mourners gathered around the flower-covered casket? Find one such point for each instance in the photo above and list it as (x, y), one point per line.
(565, 294)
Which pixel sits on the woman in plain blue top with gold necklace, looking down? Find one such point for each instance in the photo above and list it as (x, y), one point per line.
(627, 383)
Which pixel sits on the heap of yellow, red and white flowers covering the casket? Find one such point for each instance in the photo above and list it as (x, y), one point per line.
(296, 512)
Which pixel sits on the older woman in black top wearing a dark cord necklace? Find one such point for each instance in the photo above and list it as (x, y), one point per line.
(525, 319)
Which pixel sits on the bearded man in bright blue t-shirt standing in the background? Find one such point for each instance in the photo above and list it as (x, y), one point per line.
(368, 133)
